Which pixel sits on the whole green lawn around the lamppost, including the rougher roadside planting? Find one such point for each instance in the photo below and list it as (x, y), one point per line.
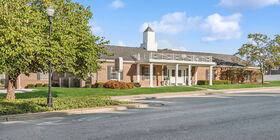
(71, 98)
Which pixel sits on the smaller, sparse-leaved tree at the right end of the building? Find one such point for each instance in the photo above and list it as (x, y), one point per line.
(261, 51)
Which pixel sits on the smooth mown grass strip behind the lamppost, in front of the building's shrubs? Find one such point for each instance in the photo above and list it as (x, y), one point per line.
(73, 92)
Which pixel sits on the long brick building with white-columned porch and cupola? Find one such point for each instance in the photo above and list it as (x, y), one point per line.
(152, 67)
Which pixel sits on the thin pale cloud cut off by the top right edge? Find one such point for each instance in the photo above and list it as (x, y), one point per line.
(247, 4)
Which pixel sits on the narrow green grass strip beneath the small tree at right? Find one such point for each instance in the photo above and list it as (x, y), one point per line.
(236, 86)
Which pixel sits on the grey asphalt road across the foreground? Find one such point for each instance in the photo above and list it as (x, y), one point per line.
(238, 116)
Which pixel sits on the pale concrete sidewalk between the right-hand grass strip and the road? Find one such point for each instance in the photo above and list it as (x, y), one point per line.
(189, 94)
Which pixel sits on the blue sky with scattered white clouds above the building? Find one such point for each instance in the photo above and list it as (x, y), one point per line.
(216, 26)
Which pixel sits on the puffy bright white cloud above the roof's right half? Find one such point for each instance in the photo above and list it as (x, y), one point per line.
(217, 27)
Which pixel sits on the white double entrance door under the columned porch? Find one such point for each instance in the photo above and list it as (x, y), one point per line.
(181, 76)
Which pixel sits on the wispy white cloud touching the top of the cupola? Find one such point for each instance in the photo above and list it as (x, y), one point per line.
(171, 23)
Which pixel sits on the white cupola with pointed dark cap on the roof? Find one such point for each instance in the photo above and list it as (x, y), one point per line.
(149, 42)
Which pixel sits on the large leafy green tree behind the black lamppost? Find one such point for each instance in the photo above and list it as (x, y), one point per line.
(24, 39)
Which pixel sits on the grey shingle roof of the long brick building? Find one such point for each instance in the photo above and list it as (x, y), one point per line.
(127, 54)
